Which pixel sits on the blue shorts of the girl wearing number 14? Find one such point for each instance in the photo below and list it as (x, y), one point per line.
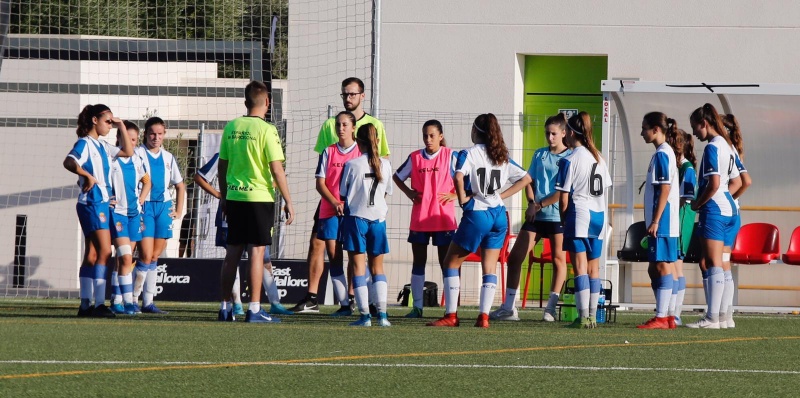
(485, 229)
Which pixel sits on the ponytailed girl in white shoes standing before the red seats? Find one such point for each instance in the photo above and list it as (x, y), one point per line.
(719, 177)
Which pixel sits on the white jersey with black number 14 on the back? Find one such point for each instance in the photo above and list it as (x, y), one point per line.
(486, 179)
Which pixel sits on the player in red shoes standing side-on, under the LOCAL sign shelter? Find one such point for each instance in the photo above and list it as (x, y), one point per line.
(661, 201)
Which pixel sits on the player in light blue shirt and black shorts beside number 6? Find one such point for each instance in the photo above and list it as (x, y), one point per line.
(542, 219)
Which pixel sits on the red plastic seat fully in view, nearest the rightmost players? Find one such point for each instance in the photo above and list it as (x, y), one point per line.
(756, 243)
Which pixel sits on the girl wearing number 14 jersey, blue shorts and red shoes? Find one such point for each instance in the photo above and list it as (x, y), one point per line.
(484, 222)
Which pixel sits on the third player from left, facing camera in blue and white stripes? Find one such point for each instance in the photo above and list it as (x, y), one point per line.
(164, 172)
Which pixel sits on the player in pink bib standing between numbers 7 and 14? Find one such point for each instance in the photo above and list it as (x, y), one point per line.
(433, 214)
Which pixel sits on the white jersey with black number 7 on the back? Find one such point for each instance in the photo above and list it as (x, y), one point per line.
(362, 193)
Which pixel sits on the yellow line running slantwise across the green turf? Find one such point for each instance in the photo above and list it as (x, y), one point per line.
(383, 356)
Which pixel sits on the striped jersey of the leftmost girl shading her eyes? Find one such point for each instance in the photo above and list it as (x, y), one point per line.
(95, 157)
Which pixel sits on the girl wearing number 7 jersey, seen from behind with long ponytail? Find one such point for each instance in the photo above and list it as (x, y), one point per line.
(363, 186)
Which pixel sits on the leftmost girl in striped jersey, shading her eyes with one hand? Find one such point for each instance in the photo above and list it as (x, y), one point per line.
(90, 158)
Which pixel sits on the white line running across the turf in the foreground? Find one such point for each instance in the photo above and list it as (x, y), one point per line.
(414, 365)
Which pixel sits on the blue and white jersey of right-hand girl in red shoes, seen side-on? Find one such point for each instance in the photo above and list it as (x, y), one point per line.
(663, 174)
